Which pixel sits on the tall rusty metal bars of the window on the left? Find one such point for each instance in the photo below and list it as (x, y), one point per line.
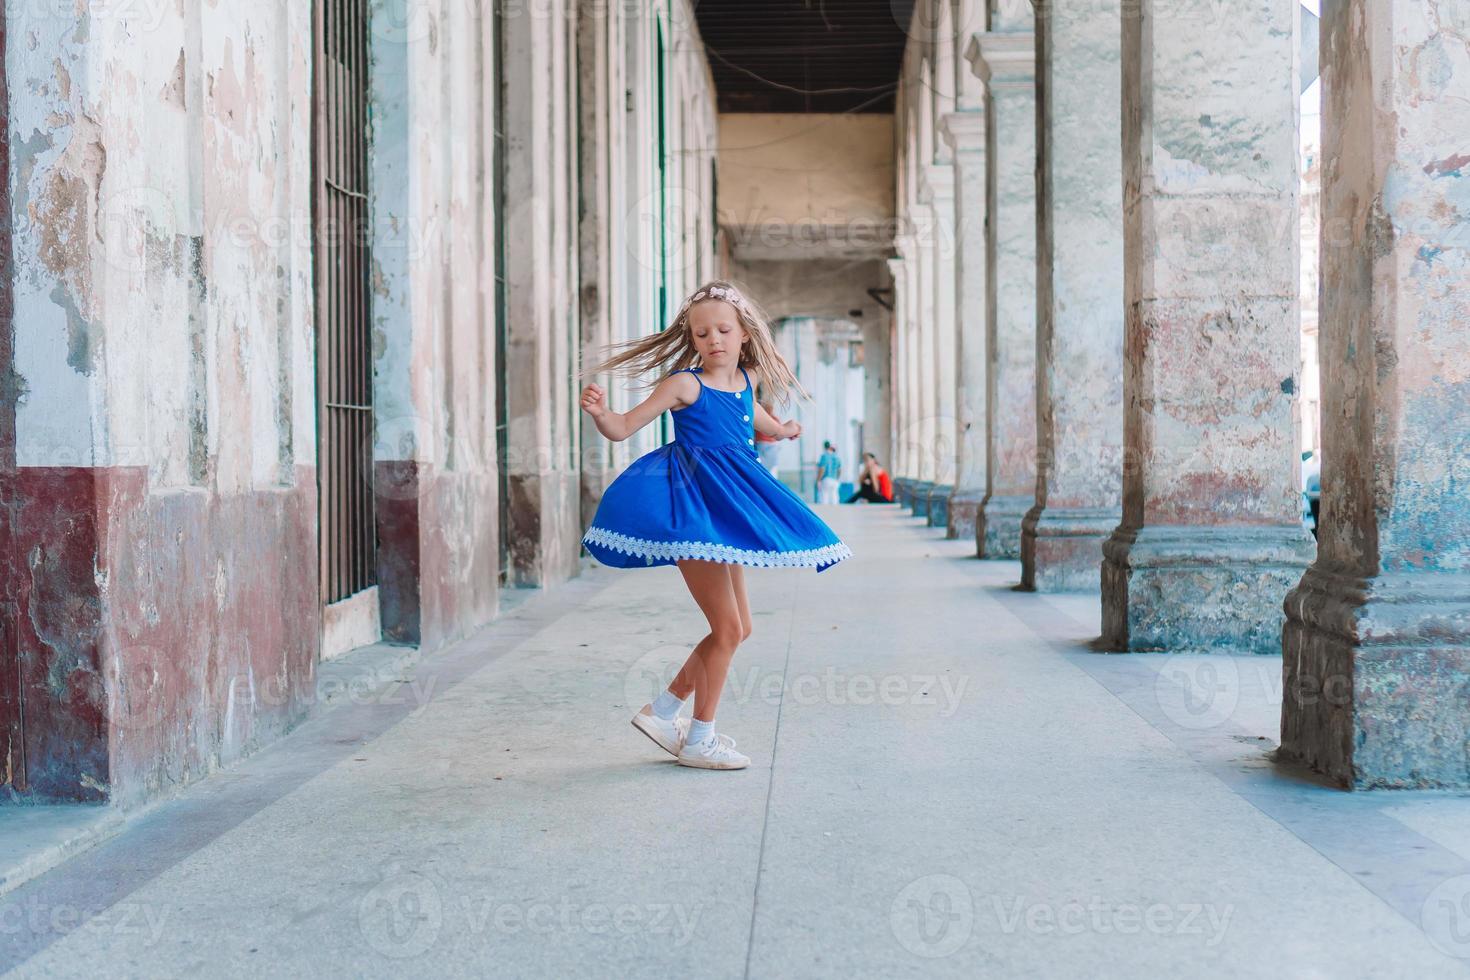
(343, 261)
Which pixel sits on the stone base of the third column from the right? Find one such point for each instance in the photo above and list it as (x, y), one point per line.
(1062, 549)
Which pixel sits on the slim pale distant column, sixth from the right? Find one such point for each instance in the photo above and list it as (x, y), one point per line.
(942, 201)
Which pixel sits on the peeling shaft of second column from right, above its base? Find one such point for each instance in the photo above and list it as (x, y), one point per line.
(1213, 274)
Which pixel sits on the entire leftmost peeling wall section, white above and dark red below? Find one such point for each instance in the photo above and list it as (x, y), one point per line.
(164, 340)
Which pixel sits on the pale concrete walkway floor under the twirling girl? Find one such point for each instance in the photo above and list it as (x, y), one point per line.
(946, 782)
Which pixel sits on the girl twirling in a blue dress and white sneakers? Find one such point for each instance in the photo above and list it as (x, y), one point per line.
(705, 502)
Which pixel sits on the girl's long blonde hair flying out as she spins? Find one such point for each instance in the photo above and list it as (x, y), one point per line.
(673, 349)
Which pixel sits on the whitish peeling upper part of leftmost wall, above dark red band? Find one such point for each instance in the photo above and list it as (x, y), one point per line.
(162, 203)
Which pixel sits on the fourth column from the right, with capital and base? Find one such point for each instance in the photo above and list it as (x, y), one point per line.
(1006, 62)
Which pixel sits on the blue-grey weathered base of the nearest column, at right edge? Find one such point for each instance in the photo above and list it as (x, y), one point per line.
(1377, 680)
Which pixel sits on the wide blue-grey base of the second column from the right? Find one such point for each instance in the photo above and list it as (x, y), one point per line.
(1208, 590)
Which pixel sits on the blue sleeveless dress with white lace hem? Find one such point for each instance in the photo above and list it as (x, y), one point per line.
(706, 496)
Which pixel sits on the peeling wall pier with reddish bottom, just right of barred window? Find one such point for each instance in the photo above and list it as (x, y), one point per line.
(433, 327)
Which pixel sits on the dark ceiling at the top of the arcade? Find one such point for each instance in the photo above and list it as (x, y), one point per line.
(805, 55)
